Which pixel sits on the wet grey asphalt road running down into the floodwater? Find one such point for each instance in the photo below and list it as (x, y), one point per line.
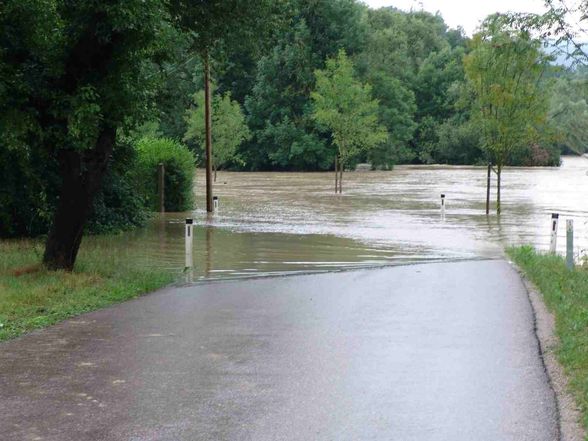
(427, 352)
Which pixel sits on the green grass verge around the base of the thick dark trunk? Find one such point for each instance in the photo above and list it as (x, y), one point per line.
(32, 297)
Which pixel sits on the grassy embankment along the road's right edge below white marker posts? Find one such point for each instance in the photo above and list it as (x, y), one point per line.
(566, 295)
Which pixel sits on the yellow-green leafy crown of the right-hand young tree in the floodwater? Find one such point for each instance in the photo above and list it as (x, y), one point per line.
(504, 71)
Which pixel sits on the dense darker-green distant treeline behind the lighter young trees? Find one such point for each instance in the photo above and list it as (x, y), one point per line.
(414, 64)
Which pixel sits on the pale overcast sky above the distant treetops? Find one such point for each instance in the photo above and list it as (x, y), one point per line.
(464, 13)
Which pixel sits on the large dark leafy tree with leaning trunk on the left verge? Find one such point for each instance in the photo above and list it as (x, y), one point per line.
(76, 75)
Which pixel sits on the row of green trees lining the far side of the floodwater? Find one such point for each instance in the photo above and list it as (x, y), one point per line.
(439, 97)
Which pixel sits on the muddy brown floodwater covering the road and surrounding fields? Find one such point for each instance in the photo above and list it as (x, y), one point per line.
(272, 223)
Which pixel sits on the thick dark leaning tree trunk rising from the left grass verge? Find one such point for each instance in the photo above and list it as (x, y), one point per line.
(81, 173)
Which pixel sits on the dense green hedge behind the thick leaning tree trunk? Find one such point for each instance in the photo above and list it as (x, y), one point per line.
(127, 194)
